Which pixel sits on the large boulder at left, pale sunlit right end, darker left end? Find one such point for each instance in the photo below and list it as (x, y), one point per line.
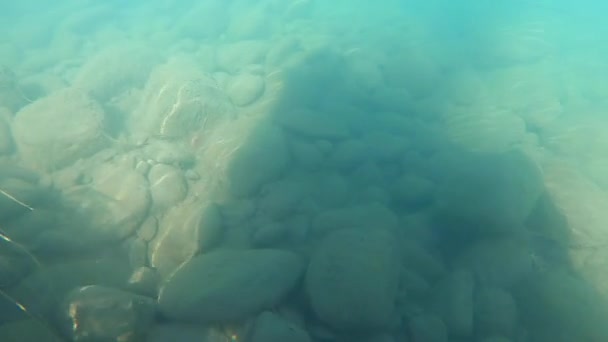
(107, 208)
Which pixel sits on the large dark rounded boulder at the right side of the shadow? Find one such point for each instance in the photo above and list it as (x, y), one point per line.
(487, 194)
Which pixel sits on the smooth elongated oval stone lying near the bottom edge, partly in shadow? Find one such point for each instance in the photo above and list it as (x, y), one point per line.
(228, 285)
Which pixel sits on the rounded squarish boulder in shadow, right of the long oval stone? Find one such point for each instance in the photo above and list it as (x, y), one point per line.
(353, 278)
